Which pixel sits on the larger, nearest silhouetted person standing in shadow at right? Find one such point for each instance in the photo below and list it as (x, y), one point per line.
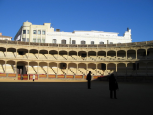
(113, 86)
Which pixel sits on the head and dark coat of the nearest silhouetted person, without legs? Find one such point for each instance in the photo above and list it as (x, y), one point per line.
(113, 85)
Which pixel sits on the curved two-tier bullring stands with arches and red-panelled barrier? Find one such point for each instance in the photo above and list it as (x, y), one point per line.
(128, 61)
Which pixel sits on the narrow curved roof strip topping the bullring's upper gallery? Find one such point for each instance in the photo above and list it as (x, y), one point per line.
(144, 43)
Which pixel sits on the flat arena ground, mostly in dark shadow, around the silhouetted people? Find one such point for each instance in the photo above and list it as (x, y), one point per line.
(73, 98)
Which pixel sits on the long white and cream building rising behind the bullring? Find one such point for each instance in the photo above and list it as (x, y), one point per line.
(46, 34)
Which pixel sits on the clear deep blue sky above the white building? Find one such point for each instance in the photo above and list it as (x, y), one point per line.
(70, 15)
